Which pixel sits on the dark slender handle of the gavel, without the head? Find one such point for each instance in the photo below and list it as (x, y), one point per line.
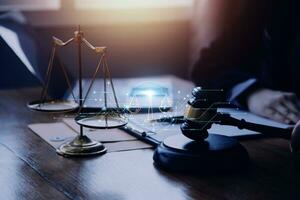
(226, 119)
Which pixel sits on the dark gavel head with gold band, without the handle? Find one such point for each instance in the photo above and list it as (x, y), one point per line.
(201, 112)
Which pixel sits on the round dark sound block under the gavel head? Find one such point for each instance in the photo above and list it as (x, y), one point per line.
(215, 154)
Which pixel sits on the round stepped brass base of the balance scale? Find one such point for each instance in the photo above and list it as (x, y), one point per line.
(81, 146)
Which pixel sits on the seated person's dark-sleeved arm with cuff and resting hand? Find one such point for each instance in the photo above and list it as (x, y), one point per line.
(228, 38)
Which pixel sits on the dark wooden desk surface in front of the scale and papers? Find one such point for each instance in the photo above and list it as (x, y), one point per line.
(31, 169)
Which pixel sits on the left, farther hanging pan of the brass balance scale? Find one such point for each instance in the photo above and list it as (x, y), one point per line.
(53, 106)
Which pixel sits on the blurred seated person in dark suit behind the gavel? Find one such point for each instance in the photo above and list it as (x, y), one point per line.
(251, 49)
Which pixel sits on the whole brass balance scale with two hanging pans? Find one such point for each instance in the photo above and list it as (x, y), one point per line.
(81, 145)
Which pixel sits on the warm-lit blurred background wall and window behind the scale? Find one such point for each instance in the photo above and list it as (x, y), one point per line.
(143, 37)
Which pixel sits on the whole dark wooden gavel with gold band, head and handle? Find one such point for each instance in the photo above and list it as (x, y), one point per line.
(202, 112)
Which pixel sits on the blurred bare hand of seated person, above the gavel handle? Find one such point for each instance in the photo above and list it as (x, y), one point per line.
(276, 105)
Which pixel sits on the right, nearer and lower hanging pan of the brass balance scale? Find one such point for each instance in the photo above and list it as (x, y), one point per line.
(101, 121)
